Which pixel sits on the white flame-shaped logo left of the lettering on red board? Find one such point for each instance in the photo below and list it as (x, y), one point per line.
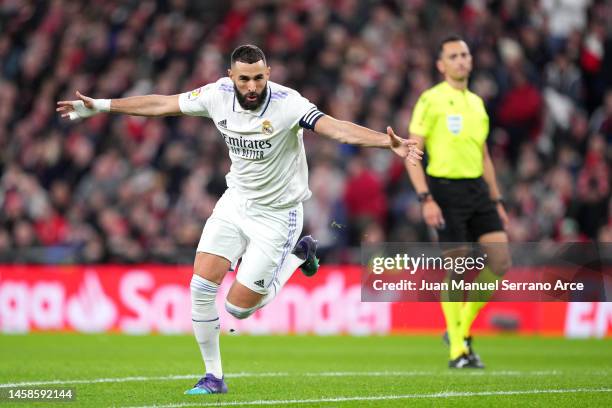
(90, 310)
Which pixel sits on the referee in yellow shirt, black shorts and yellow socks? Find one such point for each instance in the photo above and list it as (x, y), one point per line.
(459, 195)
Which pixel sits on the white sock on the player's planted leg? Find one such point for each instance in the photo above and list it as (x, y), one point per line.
(206, 325)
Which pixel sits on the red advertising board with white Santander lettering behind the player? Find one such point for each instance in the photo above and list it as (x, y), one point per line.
(156, 299)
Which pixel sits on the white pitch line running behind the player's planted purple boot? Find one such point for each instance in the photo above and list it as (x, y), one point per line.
(276, 374)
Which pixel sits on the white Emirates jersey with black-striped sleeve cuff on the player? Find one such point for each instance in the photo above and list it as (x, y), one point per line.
(266, 146)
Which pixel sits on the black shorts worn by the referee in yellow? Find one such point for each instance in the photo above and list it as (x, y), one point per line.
(467, 209)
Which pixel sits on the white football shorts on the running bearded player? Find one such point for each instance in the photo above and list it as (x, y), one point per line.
(263, 237)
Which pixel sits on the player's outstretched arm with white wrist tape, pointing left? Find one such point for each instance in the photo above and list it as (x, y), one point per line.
(147, 105)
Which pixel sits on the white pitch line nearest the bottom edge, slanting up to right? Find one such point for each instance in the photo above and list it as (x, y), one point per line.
(446, 394)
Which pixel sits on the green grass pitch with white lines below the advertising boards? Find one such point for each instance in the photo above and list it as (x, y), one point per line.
(306, 371)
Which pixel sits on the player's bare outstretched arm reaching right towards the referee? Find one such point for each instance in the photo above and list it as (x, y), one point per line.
(350, 133)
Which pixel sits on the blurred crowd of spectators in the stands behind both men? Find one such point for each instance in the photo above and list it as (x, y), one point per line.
(132, 189)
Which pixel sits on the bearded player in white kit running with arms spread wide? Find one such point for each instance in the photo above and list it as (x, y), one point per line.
(259, 217)
